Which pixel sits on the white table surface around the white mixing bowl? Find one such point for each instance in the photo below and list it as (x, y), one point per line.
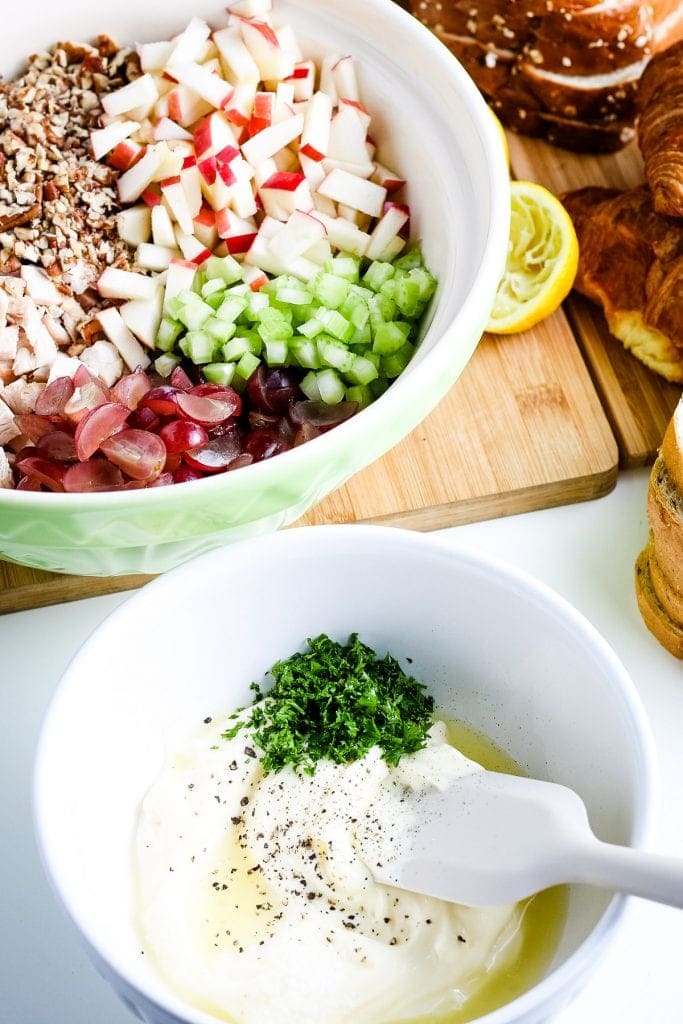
(585, 551)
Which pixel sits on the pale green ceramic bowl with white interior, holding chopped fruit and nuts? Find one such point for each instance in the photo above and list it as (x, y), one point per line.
(431, 122)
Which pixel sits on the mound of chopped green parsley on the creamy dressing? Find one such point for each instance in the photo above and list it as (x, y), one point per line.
(336, 701)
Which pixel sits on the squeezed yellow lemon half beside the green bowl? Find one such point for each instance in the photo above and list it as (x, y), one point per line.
(543, 257)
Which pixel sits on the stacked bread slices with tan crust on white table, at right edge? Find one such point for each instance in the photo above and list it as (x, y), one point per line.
(660, 566)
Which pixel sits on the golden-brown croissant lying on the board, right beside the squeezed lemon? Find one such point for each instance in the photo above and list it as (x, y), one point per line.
(631, 265)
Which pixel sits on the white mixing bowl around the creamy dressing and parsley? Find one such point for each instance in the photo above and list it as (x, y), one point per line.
(498, 651)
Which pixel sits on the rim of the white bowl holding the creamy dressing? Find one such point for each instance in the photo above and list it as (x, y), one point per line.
(560, 980)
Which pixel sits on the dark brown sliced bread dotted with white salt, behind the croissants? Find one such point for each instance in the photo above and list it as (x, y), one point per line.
(565, 70)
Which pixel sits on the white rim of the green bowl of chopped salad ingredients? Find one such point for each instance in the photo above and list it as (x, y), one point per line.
(434, 368)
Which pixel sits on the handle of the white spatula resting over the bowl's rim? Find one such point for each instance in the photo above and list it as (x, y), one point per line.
(652, 876)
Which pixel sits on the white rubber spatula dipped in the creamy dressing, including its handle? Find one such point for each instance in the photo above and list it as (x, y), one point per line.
(491, 839)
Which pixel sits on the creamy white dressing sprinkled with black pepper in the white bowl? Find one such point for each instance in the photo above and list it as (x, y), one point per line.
(257, 902)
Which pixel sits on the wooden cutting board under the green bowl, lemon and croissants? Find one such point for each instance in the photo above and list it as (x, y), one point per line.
(532, 422)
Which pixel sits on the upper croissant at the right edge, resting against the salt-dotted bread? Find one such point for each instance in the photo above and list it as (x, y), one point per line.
(661, 130)
